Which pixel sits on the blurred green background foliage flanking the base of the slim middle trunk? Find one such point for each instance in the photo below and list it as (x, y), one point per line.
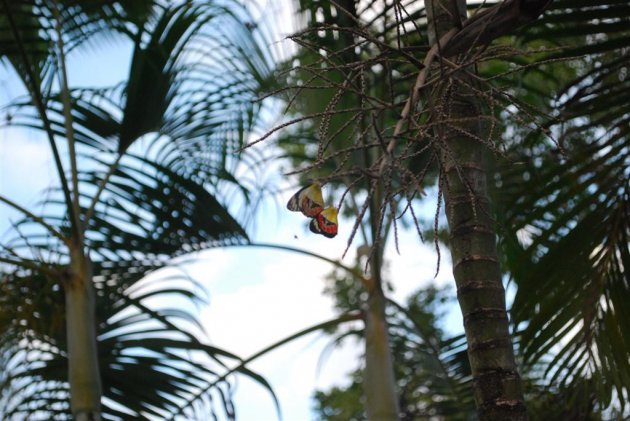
(431, 368)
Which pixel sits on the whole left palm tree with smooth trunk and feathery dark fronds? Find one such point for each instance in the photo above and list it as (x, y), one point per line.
(127, 208)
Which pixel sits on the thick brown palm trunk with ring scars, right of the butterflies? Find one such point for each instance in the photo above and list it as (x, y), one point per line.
(497, 385)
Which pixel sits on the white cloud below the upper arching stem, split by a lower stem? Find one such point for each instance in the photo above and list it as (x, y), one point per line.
(283, 298)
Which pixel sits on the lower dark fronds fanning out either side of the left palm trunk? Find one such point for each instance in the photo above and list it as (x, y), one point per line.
(151, 359)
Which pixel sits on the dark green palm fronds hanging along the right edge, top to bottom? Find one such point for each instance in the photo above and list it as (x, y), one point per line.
(564, 207)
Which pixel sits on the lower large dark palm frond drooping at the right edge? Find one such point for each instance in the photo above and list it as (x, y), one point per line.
(570, 268)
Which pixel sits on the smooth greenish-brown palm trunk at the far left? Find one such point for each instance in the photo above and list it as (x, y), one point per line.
(83, 367)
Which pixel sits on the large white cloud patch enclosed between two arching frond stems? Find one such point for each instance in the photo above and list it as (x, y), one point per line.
(283, 296)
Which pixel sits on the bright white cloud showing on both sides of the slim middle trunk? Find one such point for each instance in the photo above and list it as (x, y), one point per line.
(263, 295)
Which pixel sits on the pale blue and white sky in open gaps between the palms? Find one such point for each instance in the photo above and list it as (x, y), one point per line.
(257, 296)
